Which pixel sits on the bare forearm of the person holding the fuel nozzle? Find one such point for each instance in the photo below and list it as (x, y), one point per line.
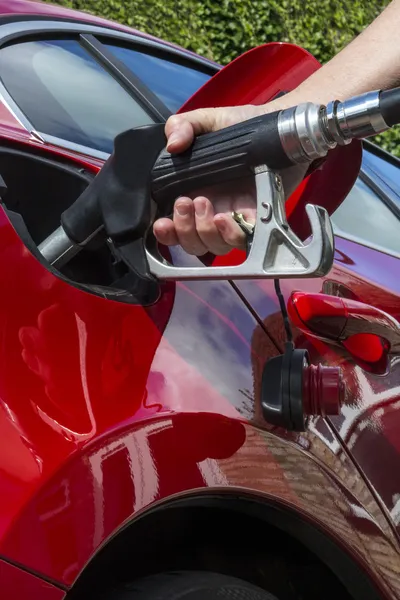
(371, 61)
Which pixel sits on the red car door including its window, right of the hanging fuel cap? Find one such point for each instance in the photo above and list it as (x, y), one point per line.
(366, 269)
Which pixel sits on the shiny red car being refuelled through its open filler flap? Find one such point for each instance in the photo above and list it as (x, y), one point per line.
(135, 460)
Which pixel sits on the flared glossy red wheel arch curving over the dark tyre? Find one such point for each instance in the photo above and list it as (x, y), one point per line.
(103, 489)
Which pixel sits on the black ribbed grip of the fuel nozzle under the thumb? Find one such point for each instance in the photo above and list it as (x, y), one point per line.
(218, 157)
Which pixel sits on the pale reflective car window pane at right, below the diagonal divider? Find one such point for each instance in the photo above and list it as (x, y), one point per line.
(363, 217)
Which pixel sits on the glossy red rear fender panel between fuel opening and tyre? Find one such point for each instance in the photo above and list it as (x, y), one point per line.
(76, 471)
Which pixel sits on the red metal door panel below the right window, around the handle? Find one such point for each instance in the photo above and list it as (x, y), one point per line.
(369, 420)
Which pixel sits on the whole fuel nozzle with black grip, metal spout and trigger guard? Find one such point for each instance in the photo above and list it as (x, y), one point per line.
(141, 180)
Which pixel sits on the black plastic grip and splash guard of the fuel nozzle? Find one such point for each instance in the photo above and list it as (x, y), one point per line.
(118, 199)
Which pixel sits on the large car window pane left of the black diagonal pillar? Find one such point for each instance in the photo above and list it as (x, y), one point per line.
(65, 93)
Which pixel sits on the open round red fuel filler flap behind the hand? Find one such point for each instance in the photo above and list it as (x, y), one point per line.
(257, 77)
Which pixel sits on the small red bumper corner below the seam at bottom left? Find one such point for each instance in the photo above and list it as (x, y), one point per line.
(17, 584)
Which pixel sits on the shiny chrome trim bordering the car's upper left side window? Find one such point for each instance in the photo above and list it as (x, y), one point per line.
(13, 31)
